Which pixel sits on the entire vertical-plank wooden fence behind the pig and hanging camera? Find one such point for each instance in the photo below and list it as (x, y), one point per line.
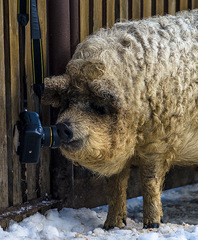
(70, 21)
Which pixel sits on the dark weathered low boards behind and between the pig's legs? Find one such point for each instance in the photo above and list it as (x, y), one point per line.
(91, 191)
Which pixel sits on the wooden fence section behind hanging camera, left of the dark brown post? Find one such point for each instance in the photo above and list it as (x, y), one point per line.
(18, 183)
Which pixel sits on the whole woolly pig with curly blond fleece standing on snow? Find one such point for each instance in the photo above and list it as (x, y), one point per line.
(130, 97)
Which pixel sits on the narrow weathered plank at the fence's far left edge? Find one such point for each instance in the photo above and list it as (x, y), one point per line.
(3, 135)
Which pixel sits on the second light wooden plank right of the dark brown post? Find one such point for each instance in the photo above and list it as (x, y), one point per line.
(97, 15)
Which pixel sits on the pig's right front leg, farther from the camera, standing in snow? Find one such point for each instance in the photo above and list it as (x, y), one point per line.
(152, 178)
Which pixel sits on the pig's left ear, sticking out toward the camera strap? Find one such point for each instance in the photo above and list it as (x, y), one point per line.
(55, 86)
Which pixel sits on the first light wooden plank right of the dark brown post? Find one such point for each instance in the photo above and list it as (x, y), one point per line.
(84, 19)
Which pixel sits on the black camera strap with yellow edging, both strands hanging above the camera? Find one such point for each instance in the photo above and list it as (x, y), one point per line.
(36, 48)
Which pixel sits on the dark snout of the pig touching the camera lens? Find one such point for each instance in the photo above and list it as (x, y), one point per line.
(65, 132)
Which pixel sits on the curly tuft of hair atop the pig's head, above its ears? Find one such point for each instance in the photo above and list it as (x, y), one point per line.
(88, 69)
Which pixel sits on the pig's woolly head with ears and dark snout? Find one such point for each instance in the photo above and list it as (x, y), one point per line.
(95, 122)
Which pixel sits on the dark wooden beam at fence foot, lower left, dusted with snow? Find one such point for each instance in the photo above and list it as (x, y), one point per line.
(18, 212)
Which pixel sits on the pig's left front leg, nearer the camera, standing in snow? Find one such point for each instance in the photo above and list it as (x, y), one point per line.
(117, 186)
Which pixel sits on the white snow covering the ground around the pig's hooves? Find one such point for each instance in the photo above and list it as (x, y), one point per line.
(180, 207)
